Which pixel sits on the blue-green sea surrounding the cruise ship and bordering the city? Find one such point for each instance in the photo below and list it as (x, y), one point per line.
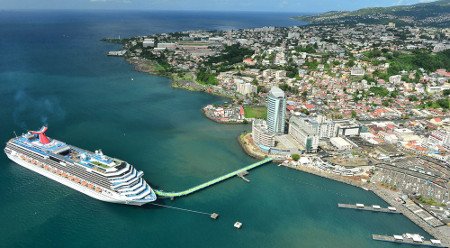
(53, 70)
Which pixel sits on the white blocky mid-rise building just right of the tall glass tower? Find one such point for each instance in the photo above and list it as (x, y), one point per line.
(305, 131)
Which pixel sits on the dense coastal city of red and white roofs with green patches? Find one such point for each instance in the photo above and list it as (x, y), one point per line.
(366, 104)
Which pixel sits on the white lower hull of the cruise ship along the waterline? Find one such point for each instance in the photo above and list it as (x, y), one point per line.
(113, 198)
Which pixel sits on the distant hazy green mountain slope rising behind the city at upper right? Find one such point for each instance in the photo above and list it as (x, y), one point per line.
(435, 14)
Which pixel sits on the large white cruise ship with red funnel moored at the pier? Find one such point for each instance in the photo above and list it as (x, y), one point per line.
(91, 173)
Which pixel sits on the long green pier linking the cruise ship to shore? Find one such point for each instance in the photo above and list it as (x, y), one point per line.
(212, 182)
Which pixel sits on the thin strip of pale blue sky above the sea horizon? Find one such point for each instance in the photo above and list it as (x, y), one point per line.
(300, 6)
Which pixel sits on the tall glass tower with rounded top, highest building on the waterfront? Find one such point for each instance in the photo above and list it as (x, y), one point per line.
(276, 110)
